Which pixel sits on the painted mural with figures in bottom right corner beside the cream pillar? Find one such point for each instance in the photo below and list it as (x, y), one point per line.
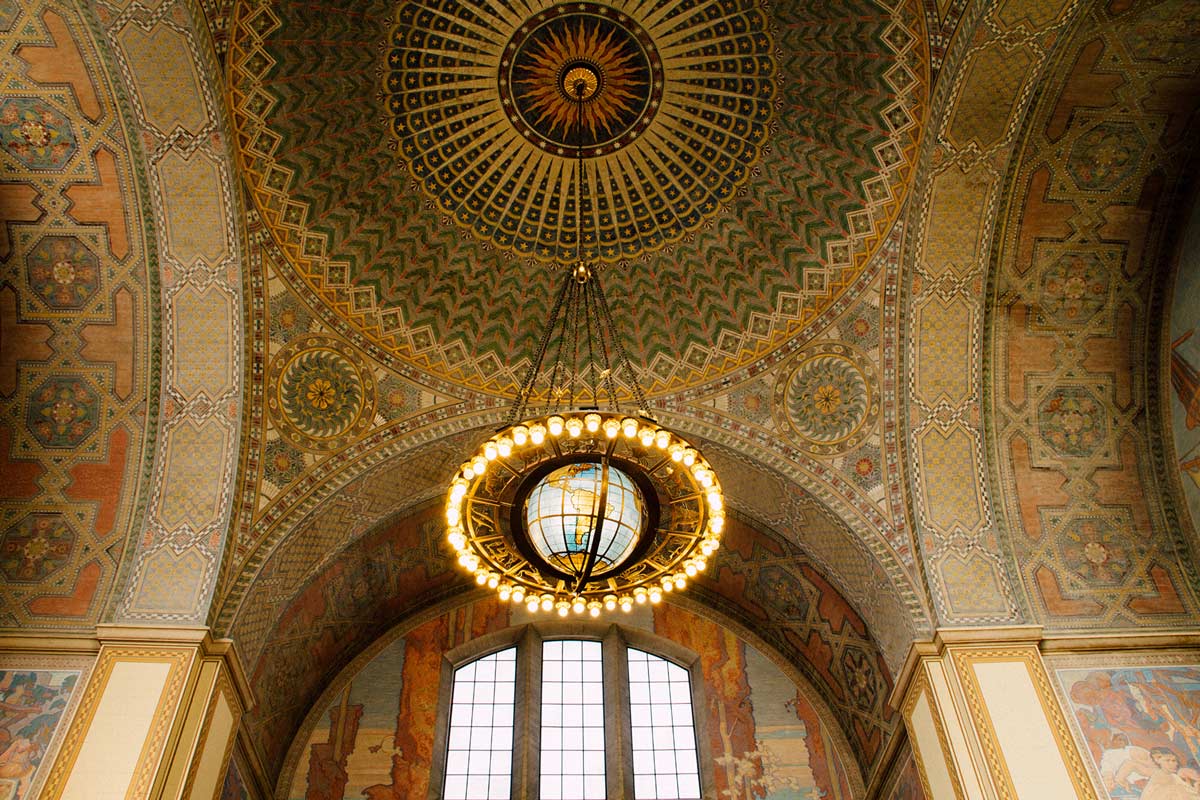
(1142, 729)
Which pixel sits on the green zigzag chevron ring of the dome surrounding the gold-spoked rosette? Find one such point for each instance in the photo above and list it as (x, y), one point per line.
(404, 279)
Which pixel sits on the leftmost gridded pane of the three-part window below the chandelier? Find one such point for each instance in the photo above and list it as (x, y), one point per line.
(479, 759)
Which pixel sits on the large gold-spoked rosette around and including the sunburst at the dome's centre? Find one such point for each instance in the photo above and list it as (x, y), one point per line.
(680, 109)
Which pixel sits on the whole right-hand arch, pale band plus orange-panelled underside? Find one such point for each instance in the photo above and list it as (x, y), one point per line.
(1005, 538)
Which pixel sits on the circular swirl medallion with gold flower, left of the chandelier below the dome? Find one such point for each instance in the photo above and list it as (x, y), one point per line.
(320, 396)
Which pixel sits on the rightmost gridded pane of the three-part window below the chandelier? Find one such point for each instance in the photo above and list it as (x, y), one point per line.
(665, 765)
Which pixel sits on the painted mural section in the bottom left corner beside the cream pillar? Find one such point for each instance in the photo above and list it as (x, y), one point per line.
(32, 705)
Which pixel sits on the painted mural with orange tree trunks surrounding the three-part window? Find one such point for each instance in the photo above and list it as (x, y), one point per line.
(766, 739)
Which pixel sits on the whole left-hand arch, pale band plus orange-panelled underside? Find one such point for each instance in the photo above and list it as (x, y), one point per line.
(141, 280)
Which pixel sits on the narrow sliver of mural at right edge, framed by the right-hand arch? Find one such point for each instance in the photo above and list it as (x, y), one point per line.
(1185, 346)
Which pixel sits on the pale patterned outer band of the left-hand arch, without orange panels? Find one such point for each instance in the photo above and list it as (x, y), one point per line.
(194, 209)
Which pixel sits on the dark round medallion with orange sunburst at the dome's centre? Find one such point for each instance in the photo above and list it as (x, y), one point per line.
(581, 76)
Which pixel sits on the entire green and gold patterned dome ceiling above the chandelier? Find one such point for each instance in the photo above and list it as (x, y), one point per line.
(415, 165)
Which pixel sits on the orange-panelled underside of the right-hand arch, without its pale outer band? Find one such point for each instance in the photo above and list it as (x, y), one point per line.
(1072, 390)
